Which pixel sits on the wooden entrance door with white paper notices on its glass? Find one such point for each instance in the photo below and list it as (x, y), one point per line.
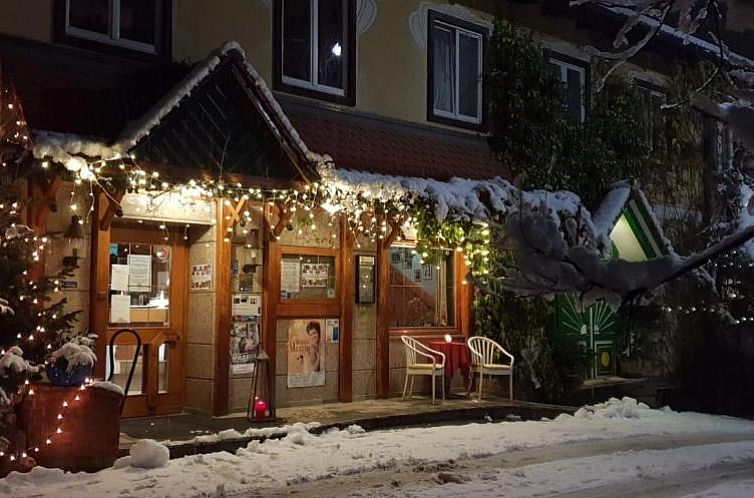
(148, 290)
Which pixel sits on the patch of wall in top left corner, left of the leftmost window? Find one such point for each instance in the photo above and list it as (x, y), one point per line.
(27, 19)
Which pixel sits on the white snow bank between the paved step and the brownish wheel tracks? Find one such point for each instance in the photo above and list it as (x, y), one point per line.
(302, 457)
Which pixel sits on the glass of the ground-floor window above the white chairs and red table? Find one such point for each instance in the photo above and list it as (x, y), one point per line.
(421, 295)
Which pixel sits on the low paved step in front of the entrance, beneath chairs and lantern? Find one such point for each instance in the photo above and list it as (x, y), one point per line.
(182, 433)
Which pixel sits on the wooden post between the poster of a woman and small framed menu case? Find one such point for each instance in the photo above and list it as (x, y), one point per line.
(347, 299)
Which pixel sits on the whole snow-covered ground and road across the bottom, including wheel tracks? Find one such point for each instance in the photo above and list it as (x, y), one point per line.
(615, 449)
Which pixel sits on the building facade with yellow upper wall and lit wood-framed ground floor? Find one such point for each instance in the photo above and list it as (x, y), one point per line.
(384, 87)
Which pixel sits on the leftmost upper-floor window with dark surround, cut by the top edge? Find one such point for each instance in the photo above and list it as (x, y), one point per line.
(135, 25)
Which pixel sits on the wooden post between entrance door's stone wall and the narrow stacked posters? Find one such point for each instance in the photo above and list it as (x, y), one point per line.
(221, 392)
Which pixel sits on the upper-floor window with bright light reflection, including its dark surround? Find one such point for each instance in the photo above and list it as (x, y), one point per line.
(316, 50)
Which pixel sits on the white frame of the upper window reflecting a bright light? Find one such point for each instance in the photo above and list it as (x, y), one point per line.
(313, 83)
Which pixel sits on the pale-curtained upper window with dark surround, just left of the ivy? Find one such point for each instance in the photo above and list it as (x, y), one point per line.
(455, 52)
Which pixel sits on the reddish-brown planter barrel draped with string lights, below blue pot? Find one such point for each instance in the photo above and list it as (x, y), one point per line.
(90, 426)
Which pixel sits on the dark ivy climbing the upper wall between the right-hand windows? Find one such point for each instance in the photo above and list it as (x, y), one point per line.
(532, 133)
